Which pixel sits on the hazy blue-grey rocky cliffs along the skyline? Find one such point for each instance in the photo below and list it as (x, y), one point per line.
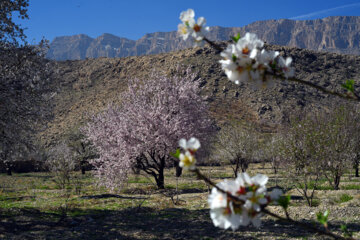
(332, 34)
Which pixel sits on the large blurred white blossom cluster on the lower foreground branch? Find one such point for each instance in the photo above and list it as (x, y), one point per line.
(251, 197)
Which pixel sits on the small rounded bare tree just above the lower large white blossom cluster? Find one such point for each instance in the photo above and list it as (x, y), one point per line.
(236, 144)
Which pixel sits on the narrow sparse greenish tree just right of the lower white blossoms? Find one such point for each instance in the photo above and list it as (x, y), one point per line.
(302, 149)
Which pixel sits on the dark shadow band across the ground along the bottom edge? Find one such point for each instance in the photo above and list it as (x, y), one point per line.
(136, 223)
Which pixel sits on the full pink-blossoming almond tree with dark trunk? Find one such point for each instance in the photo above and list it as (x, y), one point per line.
(153, 116)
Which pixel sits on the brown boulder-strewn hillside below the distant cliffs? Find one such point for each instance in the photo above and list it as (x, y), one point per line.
(87, 86)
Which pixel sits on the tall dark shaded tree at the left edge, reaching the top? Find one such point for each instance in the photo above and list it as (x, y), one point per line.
(24, 85)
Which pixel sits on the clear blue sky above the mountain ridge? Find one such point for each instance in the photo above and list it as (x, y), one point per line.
(134, 18)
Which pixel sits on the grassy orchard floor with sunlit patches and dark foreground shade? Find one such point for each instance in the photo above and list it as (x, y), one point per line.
(33, 207)
